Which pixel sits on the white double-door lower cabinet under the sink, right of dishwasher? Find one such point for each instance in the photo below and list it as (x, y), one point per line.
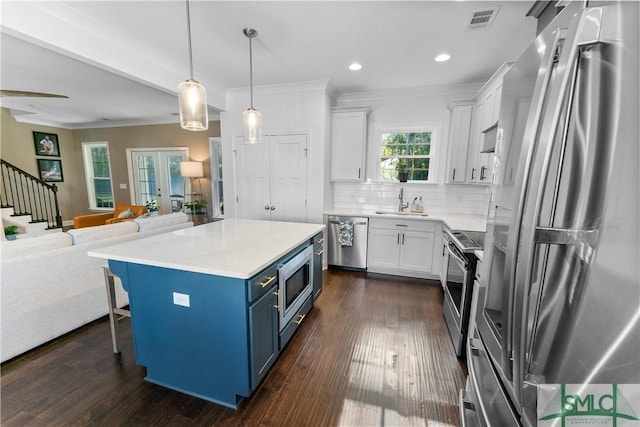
(402, 247)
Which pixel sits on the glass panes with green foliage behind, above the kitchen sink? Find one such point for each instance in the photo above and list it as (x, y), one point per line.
(411, 149)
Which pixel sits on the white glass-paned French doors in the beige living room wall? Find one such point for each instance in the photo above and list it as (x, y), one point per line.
(154, 174)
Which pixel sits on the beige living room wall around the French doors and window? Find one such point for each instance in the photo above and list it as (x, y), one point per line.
(17, 148)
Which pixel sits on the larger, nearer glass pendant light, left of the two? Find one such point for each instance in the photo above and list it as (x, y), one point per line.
(192, 96)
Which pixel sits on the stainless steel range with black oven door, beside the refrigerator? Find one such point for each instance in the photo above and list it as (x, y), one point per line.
(457, 282)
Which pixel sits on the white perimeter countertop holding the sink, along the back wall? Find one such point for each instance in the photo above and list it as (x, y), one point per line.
(454, 221)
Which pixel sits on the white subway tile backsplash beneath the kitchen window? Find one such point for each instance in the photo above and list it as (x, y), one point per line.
(436, 198)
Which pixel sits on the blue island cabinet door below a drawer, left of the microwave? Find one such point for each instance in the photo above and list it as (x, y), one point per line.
(263, 319)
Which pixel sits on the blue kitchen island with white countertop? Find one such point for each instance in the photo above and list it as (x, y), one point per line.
(205, 302)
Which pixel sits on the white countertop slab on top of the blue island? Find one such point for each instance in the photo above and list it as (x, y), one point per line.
(238, 248)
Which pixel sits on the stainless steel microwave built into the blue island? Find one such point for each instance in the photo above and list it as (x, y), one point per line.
(294, 284)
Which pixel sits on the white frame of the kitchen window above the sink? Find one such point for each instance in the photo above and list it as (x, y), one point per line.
(433, 128)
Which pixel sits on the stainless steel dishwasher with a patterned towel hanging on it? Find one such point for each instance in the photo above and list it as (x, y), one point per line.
(350, 257)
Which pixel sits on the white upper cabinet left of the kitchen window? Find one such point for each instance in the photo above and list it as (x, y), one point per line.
(348, 144)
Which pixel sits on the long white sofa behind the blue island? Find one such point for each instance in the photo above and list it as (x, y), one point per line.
(50, 286)
